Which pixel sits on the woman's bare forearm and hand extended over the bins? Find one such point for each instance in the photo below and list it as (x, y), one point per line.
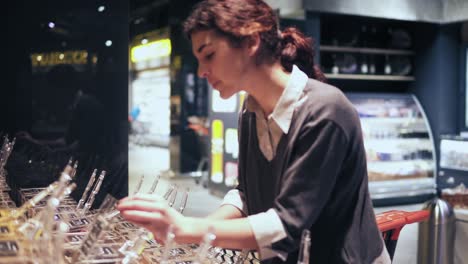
(153, 213)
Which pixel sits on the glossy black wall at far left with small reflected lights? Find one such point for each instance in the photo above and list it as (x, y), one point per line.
(42, 101)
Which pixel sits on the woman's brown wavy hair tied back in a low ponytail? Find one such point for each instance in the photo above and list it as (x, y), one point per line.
(238, 20)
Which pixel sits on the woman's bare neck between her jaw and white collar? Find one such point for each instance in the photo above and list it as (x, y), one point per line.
(267, 84)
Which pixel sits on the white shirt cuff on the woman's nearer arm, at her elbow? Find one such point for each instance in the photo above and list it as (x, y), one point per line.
(268, 229)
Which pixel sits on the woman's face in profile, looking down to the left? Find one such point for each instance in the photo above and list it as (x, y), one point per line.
(221, 64)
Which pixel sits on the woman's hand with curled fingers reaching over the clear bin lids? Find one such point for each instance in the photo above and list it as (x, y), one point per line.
(153, 213)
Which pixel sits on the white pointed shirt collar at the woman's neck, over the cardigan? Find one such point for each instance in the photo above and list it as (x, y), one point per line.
(284, 108)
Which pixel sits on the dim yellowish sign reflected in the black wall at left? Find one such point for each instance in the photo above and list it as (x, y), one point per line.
(47, 59)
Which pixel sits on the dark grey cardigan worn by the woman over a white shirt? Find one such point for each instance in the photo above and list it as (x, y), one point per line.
(317, 180)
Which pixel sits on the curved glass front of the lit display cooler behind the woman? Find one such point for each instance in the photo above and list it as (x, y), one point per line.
(399, 147)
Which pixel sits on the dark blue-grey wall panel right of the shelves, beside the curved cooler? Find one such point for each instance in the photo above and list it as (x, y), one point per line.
(437, 76)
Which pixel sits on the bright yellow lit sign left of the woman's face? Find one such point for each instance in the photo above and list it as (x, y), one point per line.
(151, 50)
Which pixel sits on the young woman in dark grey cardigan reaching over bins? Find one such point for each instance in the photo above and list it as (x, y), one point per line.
(302, 163)
